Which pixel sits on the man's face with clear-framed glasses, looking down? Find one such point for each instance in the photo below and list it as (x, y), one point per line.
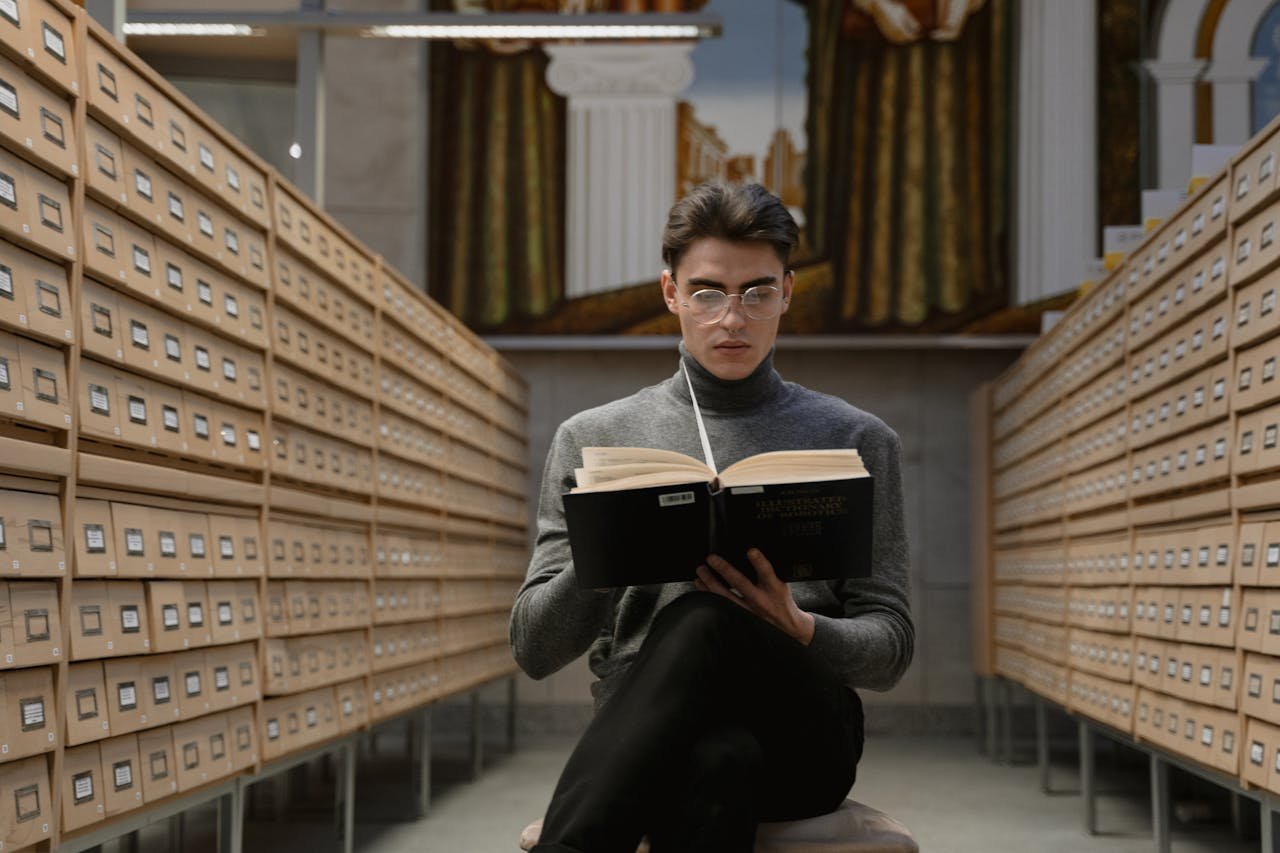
(734, 346)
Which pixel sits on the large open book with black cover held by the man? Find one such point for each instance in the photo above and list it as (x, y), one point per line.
(647, 517)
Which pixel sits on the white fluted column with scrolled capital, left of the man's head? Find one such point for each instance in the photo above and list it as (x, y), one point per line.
(621, 158)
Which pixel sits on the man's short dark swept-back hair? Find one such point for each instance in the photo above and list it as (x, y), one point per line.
(734, 212)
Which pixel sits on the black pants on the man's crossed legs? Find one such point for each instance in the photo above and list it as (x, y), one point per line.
(720, 723)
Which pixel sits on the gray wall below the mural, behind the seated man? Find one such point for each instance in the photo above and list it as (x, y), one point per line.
(921, 394)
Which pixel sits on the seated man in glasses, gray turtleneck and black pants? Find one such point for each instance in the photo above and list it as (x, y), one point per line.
(720, 703)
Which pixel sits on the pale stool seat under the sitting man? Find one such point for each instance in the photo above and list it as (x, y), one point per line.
(851, 829)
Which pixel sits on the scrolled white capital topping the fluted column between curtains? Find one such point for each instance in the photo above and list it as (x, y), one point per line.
(620, 71)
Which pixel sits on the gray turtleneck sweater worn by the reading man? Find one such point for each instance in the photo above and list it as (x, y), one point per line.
(865, 627)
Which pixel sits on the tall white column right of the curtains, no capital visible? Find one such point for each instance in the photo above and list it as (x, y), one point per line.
(1058, 220)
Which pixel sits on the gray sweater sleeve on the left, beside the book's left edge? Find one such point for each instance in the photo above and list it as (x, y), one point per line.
(554, 621)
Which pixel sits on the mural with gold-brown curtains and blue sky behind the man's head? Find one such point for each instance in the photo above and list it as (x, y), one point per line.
(883, 125)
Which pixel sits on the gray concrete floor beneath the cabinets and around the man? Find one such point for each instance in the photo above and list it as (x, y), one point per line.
(953, 799)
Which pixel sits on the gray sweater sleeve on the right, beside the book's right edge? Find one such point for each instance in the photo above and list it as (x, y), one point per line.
(872, 645)
